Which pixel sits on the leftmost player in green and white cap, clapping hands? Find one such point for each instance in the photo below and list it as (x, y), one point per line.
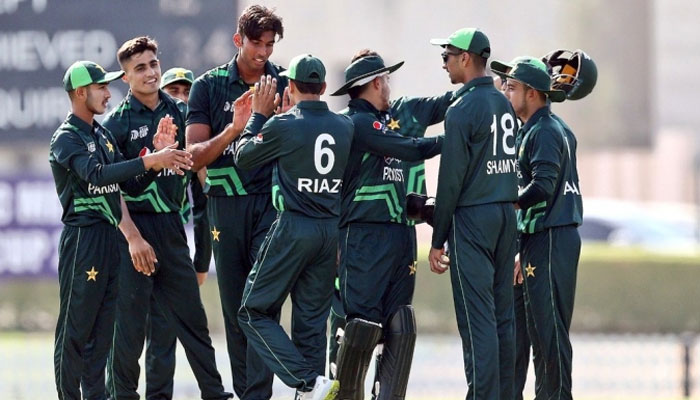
(89, 171)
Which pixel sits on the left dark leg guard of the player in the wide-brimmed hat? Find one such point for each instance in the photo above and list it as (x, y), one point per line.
(354, 356)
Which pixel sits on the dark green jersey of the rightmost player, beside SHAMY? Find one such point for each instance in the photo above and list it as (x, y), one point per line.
(547, 161)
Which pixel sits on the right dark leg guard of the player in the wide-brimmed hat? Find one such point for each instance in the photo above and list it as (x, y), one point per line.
(394, 361)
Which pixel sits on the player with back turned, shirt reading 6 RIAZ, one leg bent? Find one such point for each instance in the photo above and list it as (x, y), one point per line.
(309, 148)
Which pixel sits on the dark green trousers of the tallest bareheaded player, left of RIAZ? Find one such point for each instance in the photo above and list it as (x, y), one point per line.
(239, 225)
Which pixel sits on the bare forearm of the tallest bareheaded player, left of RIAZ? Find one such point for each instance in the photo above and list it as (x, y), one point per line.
(205, 149)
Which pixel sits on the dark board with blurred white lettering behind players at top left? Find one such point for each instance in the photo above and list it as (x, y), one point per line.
(40, 39)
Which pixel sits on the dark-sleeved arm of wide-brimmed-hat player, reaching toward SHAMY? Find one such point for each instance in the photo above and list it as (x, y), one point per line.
(371, 137)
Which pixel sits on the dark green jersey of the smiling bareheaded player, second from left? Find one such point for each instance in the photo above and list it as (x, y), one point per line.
(133, 126)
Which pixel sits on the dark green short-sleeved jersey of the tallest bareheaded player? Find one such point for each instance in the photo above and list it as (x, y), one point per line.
(211, 103)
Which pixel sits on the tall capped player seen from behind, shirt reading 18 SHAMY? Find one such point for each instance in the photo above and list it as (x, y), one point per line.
(474, 213)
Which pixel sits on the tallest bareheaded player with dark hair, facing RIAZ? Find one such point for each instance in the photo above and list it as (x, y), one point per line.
(239, 204)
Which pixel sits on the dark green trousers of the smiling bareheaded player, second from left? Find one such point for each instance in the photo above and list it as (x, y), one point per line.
(174, 288)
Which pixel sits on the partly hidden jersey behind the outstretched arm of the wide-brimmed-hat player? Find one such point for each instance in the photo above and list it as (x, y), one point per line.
(412, 116)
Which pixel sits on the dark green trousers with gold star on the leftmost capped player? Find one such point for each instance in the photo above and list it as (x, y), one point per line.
(88, 269)
